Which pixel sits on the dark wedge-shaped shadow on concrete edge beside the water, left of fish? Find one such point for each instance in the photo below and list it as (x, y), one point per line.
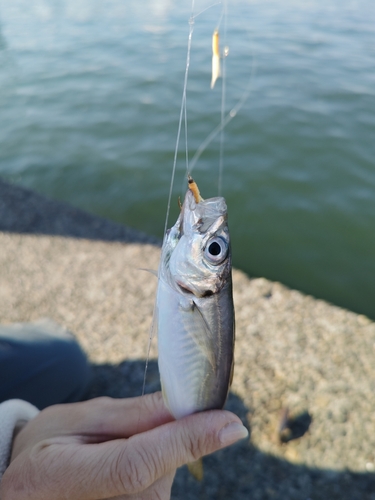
(24, 211)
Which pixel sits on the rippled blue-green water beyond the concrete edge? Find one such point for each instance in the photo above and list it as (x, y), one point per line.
(90, 95)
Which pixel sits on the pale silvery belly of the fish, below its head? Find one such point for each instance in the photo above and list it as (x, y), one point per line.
(189, 365)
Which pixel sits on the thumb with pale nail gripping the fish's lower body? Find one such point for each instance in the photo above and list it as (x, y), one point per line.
(148, 456)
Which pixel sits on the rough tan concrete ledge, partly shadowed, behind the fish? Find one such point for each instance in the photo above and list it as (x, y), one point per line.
(304, 376)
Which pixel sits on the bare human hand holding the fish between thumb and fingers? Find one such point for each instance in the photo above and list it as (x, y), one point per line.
(111, 448)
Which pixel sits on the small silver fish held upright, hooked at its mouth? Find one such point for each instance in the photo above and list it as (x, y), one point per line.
(194, 307)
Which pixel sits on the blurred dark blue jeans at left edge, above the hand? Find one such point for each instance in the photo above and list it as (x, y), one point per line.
(41, 363)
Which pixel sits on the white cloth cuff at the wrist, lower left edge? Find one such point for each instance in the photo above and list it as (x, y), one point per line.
(11, 413)
